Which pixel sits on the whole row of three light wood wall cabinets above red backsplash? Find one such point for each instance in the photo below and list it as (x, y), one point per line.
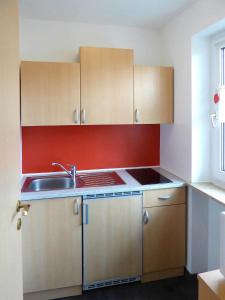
(105, 88)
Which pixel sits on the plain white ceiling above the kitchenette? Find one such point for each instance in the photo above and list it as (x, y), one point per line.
(137, 13)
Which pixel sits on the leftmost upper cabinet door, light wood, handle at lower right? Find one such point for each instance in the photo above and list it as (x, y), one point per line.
(50, 93)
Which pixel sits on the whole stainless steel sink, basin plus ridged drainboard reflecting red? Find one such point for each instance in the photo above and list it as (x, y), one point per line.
(57, 182)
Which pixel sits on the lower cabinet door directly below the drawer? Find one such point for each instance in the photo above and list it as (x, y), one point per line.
(164, 238)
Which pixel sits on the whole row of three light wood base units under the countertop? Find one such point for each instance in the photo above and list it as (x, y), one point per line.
(52, 241)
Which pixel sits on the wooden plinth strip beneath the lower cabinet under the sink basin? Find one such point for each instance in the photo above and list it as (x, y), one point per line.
(54, 294)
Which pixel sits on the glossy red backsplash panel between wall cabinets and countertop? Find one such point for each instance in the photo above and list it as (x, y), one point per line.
(90, 147)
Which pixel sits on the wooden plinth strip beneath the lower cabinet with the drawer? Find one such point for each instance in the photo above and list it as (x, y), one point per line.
(154, 276)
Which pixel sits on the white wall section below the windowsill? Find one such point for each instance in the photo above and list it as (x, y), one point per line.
(203, 232)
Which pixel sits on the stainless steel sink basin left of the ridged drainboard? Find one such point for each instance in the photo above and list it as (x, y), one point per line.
(49, 183)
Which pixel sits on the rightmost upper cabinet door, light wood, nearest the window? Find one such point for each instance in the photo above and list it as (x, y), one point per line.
(153, 95)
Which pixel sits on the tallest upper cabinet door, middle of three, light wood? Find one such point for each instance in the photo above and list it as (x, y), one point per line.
(106, 86)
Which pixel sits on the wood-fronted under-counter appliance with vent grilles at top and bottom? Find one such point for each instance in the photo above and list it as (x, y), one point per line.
(112, 239)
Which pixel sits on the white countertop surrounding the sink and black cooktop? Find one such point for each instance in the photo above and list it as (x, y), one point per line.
(130, 186)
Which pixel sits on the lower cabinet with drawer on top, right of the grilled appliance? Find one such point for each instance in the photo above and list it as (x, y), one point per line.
(164, 233)
